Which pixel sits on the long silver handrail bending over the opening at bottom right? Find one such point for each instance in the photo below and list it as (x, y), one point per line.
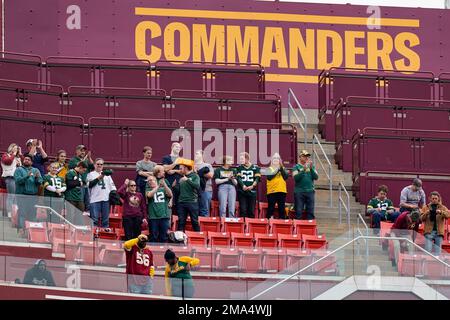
(342, 247)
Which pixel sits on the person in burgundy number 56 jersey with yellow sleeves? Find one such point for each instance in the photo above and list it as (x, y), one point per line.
(139, 265)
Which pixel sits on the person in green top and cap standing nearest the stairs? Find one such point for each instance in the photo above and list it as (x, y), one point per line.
(304, 174)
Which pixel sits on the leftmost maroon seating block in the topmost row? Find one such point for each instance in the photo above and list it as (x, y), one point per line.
(21, 67)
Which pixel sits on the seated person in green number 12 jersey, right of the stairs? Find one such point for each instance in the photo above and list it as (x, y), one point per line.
(381, 208)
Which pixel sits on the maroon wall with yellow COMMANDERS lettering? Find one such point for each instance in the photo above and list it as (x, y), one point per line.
(293, 41)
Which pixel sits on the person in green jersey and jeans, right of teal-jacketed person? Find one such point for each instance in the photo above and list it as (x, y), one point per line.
(54, 188)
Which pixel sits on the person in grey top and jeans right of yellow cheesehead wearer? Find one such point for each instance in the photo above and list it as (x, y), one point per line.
(205, 171)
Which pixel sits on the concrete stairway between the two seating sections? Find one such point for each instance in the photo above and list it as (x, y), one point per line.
(327, 217)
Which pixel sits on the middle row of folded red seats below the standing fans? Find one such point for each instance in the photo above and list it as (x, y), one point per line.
(257, 240)
